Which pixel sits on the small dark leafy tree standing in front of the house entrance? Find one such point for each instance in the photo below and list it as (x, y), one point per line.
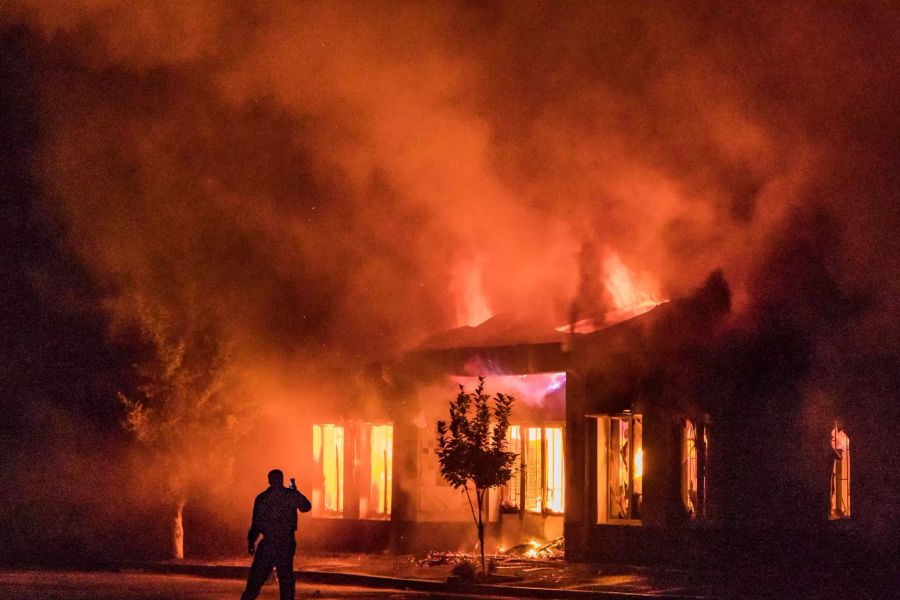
(472, 448)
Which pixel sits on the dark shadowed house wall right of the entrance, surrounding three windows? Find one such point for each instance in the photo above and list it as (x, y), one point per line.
(768, 479)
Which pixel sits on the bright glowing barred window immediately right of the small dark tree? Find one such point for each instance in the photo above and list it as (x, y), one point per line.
(541, 468)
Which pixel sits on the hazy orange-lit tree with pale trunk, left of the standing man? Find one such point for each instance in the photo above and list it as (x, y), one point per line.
(185, 413)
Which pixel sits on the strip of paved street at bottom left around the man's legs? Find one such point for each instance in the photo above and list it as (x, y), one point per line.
(69, 585)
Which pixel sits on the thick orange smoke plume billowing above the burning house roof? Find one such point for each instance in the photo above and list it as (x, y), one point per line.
(292, 186)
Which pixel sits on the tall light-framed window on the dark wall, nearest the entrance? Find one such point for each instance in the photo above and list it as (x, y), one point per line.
(620, 468)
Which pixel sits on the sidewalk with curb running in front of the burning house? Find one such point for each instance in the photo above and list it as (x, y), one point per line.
(512, 576)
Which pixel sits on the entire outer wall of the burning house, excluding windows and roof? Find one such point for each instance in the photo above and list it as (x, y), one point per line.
(767, 475)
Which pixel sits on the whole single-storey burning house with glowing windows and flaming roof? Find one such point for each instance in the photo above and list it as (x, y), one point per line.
(628, 445)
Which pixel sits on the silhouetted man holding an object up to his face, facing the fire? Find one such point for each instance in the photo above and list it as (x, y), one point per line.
(275, 517)
